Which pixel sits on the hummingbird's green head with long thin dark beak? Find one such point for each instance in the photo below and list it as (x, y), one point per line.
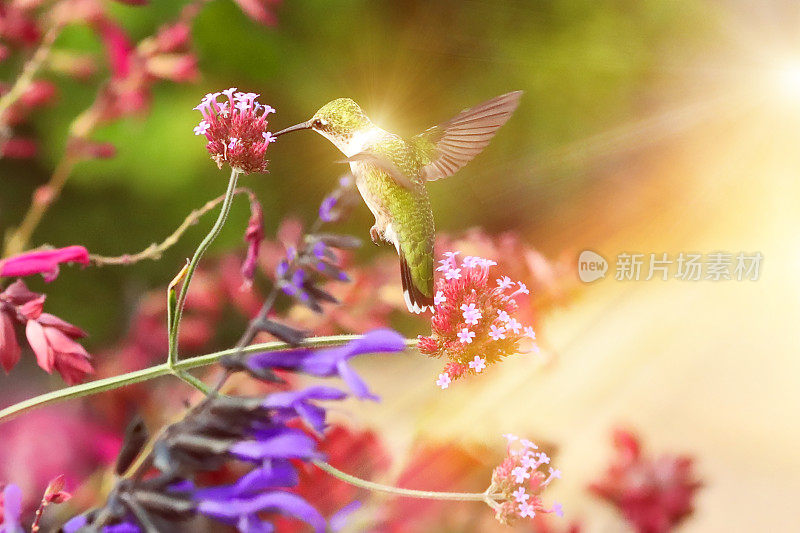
(340, 121)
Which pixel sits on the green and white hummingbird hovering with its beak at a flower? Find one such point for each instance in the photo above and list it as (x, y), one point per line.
(391, 173)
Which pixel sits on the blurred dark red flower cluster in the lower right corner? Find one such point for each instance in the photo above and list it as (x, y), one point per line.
(653, 494)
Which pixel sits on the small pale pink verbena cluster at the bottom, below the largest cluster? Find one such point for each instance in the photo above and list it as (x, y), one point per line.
(519, 480)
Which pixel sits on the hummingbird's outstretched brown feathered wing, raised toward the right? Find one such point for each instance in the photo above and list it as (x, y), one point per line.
(463, 137)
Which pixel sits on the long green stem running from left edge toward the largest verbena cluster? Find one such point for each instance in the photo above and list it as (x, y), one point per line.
(137, 376)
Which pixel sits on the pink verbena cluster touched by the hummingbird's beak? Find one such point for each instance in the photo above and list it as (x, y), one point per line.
(236, 130)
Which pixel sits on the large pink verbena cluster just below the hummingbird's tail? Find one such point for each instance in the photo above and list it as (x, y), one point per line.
(472, 324)
